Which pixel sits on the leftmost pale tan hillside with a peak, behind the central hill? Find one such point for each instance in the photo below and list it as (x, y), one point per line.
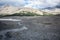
(8, 10)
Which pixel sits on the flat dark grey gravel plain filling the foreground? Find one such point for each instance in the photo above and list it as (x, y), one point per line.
(30, 28)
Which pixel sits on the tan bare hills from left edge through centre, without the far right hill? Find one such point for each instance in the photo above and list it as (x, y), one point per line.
(8, 10)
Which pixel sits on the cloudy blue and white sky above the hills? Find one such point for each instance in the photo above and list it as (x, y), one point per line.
(31, 3)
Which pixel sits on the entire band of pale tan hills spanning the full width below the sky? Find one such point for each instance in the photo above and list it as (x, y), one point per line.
(9, 10)
